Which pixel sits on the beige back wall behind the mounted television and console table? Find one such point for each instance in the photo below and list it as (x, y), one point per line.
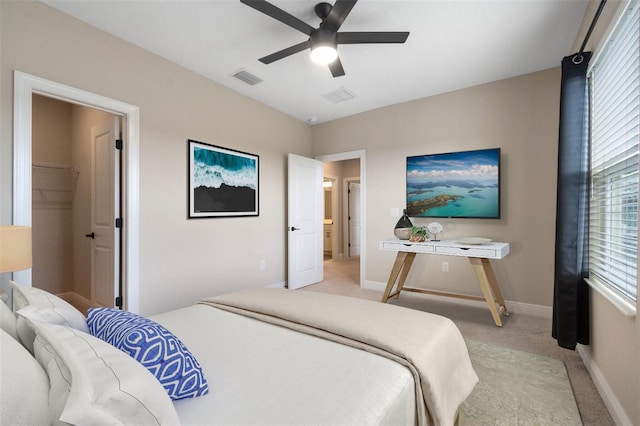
(519, 115)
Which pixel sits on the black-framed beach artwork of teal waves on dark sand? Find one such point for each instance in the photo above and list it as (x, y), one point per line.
(223, 182)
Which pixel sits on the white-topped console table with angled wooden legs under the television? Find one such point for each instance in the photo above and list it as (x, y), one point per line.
(478, 255)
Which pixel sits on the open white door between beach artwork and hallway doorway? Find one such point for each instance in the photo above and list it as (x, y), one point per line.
(305, 219)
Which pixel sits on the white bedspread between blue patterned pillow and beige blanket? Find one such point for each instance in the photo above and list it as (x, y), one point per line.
(263, 374)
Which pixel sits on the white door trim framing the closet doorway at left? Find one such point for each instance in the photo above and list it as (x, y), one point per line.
(25, 85)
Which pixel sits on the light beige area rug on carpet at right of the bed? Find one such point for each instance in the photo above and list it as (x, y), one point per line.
(518, 388)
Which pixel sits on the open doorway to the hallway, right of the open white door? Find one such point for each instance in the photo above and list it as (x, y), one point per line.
(344, 259)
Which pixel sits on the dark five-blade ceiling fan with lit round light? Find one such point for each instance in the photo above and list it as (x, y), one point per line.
(324, 40)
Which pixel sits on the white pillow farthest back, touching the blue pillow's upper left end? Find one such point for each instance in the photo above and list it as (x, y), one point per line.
(50, 308)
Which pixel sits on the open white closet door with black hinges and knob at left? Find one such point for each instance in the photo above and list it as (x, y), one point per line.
(105, 208)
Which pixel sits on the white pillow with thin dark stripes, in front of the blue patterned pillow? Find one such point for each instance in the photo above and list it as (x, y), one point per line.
(107, 386)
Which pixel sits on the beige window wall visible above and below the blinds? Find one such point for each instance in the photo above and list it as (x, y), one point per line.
(615, 339)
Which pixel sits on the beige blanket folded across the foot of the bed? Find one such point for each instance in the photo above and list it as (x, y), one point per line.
(431, 346)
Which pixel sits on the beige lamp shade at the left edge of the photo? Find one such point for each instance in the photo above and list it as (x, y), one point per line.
(15, 248)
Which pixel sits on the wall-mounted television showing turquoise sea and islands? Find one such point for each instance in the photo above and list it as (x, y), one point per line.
(462, 184)
